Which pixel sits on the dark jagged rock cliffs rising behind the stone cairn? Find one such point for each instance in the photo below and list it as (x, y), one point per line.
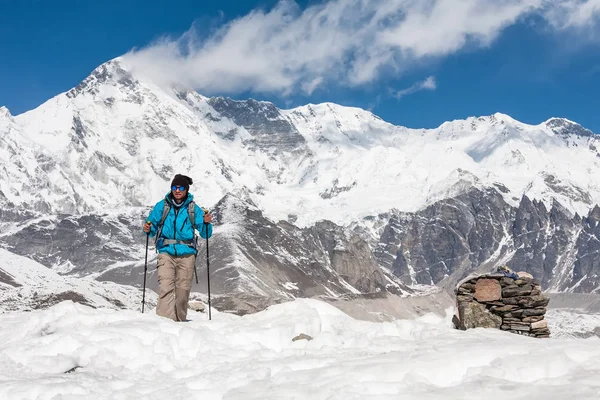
(455, 237)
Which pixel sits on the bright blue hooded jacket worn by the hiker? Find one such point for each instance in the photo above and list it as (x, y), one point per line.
(178, 227)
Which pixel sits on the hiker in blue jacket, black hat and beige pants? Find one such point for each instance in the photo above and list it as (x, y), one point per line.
(176, 246)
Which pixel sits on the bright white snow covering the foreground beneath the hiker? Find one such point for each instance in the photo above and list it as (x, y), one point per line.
(127, 355)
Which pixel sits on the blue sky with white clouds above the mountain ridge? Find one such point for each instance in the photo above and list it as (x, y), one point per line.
(412, 63)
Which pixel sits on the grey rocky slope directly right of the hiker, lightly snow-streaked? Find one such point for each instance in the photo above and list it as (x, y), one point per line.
(320, 260)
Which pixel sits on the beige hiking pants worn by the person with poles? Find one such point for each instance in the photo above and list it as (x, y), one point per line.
(175, 282)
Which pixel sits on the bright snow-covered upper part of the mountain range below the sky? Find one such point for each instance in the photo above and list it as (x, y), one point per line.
(316, 160)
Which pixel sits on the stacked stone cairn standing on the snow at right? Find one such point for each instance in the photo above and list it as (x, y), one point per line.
(499, 301)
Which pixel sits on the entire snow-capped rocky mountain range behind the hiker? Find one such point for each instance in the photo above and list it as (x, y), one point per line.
(320, 200)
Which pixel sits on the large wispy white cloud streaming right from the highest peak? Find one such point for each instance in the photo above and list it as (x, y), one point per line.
(340, 42)
